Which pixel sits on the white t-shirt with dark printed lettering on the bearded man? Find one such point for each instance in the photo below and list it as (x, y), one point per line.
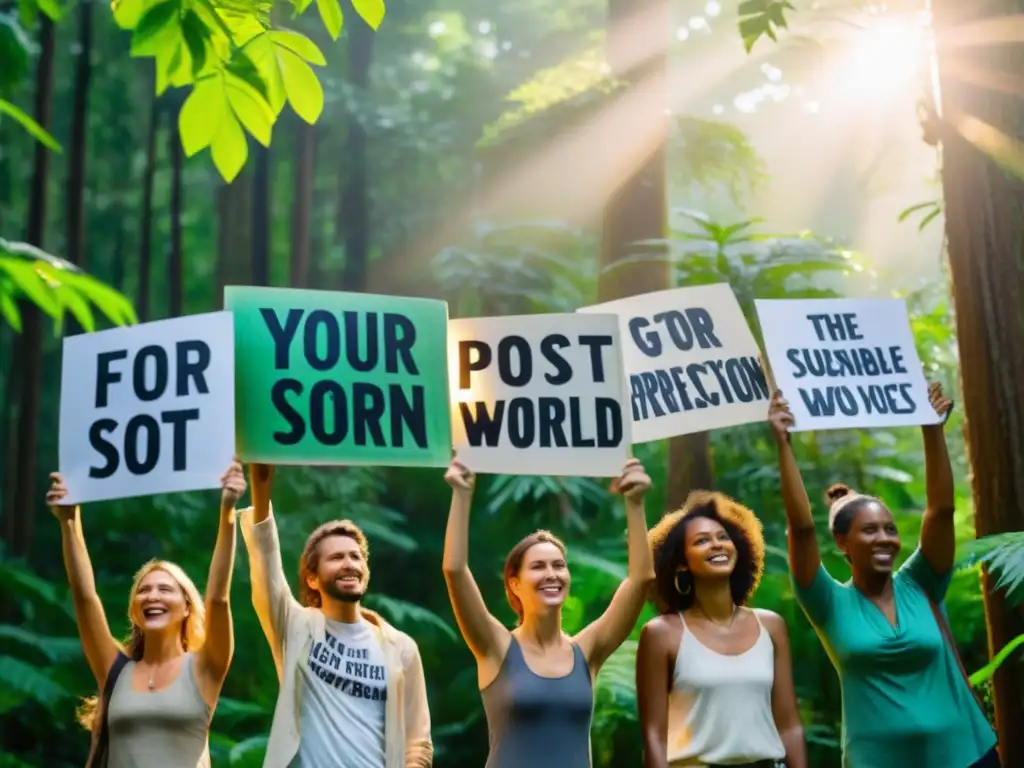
(344, 693)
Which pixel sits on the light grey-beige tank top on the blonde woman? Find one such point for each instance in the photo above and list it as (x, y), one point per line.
(168, 729)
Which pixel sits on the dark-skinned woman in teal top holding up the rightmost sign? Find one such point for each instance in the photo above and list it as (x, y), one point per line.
(906, 699)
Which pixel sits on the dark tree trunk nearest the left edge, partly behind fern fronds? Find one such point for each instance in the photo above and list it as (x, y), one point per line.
(19, 526)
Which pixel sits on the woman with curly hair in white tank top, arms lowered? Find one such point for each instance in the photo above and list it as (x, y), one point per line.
(714, 677)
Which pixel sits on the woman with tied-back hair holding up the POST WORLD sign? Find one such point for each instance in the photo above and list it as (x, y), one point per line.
(537, 682)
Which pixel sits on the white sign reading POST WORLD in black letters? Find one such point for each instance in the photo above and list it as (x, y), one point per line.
(538, 395)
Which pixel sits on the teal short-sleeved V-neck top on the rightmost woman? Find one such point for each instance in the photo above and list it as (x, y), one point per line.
(905, 699)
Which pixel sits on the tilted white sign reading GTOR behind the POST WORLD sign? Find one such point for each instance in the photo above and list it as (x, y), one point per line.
(691, 360)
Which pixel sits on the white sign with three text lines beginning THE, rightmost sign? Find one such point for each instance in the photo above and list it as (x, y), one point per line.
(846, 363)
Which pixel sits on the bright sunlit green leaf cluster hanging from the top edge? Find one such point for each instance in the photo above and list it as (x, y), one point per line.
(242, 70)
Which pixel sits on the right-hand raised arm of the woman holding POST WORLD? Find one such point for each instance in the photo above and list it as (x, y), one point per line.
(600, 639)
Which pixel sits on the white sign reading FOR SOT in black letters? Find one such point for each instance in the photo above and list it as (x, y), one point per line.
(148, 409)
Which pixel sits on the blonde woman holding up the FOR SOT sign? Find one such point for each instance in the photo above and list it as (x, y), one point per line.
(179, 652)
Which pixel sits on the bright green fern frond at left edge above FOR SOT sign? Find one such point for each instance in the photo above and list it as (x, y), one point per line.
(57, 287)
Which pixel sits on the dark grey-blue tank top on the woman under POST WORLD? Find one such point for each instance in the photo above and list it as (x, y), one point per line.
(537, 722)
